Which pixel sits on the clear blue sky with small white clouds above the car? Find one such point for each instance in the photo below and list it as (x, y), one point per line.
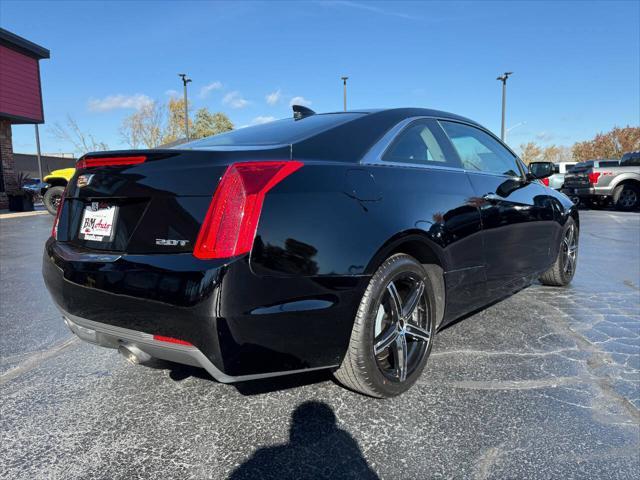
(576, 64)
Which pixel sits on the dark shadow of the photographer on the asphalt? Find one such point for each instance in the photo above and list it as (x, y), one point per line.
(317, 448)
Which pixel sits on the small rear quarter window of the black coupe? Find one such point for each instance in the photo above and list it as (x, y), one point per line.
(417, 144)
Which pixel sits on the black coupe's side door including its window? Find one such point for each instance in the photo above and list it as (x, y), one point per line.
(517, 218)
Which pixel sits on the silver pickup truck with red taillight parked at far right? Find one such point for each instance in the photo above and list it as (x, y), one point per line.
(597, 182)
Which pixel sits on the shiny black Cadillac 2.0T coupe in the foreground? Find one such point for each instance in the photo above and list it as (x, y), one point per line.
(339, 241)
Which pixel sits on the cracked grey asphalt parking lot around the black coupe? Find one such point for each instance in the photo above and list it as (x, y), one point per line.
(545, 384)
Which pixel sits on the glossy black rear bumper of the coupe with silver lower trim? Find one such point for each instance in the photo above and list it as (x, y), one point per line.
(241, 325)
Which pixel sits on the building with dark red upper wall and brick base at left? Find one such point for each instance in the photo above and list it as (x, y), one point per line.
(20, 98)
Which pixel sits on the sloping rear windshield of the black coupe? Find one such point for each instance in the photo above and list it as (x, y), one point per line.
(279, 132)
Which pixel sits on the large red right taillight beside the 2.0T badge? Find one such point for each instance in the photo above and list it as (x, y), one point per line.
(230, 224)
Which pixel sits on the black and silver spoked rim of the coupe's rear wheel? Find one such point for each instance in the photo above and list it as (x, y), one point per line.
(402, 328)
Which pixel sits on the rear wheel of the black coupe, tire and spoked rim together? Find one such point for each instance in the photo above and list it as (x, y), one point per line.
(379, 374)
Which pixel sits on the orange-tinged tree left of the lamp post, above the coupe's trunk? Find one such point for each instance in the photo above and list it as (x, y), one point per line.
(144, 127)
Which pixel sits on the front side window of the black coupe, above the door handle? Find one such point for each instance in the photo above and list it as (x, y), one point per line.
(480, 151)
